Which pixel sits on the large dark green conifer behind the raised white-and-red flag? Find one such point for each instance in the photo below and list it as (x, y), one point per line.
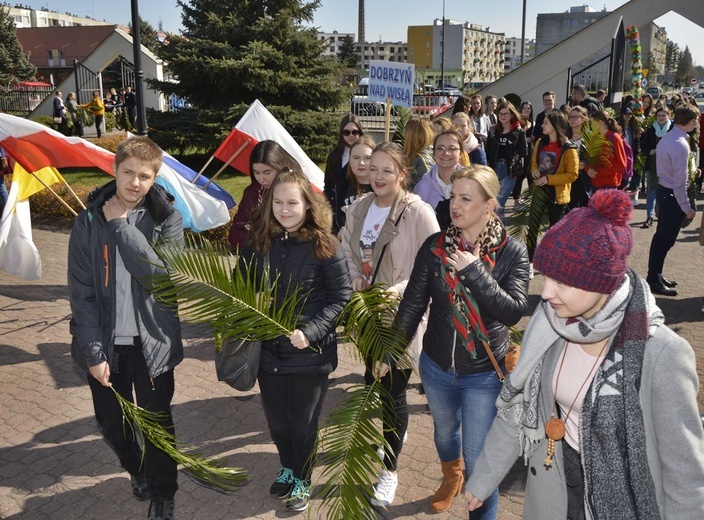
(236, 51)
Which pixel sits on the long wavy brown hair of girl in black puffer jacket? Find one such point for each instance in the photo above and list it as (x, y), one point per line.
(317, 224)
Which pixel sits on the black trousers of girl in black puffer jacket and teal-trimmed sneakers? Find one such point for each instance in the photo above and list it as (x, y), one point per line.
(292, 404)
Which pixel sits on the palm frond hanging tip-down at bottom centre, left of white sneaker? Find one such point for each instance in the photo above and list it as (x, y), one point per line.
(347, 447)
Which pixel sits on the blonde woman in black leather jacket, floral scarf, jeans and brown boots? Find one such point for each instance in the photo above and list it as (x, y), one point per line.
(477, 279)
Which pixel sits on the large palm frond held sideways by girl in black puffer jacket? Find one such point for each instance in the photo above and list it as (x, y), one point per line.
(237, 298)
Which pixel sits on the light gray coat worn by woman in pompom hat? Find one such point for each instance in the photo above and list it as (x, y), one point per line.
(673, 432)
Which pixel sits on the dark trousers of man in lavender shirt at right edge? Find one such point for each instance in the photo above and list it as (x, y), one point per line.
(669, 224)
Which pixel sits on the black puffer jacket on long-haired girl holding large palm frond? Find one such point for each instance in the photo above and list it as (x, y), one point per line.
(327, 285)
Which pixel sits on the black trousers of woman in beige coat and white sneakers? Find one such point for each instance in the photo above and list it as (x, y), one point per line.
(394, 400)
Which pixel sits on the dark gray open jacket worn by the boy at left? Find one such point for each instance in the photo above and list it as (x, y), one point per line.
(91, 281)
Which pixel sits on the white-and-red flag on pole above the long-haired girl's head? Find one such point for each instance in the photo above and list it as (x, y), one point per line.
(257, 124)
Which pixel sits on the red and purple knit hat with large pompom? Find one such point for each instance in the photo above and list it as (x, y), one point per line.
(589, 247)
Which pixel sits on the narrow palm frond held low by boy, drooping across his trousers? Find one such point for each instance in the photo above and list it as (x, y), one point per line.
(212, 473)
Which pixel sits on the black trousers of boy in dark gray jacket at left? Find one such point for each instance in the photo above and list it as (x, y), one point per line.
(132, 374)
